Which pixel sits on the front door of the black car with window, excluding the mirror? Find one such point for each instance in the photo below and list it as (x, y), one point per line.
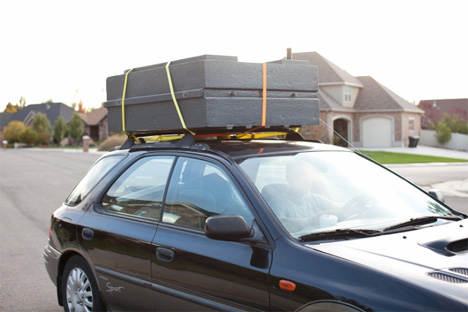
(192, 271)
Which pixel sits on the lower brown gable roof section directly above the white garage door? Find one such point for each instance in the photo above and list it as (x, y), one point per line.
(376, 97)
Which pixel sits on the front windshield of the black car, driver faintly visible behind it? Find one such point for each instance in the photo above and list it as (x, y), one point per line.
(313, 192)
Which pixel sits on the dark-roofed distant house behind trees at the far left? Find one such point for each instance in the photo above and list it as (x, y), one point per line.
(26, 115)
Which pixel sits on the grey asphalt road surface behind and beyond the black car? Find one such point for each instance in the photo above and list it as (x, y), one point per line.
(33, 183)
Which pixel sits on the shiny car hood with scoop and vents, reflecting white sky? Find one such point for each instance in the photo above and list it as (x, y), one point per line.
(434, 258)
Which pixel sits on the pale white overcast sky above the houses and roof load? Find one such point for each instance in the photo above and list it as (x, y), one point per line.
(64, 50)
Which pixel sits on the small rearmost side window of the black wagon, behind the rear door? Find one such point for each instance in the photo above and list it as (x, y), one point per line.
(91, 179)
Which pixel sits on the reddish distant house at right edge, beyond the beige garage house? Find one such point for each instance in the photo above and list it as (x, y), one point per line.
(434, 110)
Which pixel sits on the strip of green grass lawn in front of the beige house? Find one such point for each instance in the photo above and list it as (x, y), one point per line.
(400, 158)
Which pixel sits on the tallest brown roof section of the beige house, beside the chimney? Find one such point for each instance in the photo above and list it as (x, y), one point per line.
(329, 73)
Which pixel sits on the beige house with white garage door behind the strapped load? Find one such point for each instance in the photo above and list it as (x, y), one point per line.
(359, 110)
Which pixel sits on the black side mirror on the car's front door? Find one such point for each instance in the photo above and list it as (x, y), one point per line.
(227, 227)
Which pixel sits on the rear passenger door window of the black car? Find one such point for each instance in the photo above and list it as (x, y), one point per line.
(139, 191)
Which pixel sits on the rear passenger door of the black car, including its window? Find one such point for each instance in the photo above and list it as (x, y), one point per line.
(117, 234)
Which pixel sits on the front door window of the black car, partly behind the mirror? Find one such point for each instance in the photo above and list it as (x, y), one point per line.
(198, 190)
